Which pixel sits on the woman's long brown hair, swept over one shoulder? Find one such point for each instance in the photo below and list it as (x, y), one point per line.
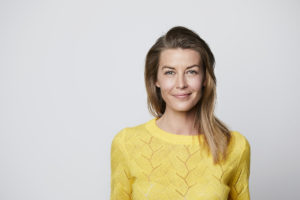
(217, 135)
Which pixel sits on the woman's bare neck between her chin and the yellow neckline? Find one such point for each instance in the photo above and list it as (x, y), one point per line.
(181, 123)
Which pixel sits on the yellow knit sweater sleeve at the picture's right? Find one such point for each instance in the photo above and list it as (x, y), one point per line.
(240, 182)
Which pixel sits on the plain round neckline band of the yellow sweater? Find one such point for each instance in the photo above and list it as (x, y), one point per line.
(172, 137)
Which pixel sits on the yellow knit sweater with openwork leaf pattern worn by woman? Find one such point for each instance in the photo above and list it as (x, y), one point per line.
(150, 163)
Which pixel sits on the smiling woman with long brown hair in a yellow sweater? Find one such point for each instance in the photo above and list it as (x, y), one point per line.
(184, 152)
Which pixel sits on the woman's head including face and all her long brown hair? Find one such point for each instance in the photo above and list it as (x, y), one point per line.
(181, 48)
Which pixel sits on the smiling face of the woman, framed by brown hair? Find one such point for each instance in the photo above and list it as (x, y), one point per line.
(180, 78)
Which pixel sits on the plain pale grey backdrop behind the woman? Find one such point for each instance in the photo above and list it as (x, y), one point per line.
(72, 76)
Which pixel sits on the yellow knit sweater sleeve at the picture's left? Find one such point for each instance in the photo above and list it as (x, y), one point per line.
(120, 174)
